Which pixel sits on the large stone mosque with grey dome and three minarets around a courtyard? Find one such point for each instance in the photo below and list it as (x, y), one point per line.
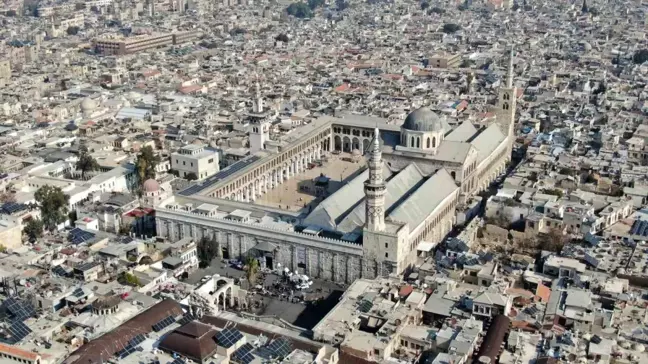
(415, 177)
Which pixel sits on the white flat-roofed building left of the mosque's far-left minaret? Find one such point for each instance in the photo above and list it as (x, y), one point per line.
(195, 159)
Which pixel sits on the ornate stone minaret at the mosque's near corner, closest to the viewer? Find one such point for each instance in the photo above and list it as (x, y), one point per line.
(375, 189)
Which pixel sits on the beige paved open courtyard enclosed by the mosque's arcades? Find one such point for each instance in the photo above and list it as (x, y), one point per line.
(299, 192)
